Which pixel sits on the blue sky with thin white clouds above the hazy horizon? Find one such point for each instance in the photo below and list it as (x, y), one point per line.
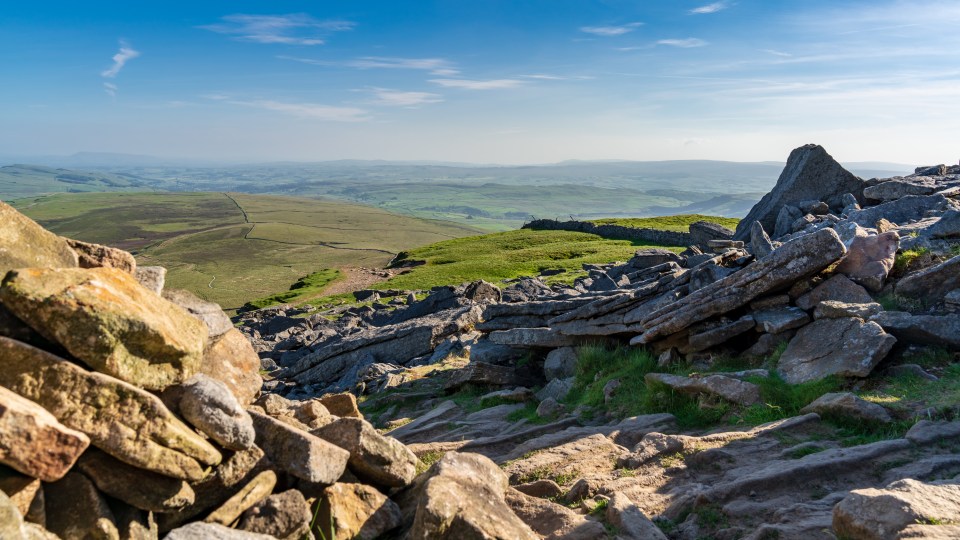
(491, 81)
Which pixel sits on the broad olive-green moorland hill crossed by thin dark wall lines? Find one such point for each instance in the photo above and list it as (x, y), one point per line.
(234, 248)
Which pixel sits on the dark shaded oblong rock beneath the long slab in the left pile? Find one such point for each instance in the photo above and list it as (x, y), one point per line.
(141, 489)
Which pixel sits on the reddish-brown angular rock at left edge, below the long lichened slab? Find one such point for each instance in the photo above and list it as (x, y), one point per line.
(33, 442)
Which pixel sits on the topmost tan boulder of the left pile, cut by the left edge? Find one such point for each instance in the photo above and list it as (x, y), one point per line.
(25, 244)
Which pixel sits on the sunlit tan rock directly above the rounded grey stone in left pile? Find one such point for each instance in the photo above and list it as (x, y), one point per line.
(231, 360)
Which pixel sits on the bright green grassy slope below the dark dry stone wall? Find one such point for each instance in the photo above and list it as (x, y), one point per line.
(499, 256)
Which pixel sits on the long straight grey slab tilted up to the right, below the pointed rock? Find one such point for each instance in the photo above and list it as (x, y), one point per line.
(792, 261)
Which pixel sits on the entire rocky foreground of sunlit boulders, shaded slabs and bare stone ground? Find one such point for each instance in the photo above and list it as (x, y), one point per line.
(128, 410)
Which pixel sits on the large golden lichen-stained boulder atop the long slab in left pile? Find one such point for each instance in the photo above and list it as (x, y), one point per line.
(107, 320)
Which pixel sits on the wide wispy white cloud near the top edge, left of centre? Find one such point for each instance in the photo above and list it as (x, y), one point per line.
(291, 29)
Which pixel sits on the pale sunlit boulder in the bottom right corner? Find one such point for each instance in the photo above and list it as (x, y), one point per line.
(880, 514)
